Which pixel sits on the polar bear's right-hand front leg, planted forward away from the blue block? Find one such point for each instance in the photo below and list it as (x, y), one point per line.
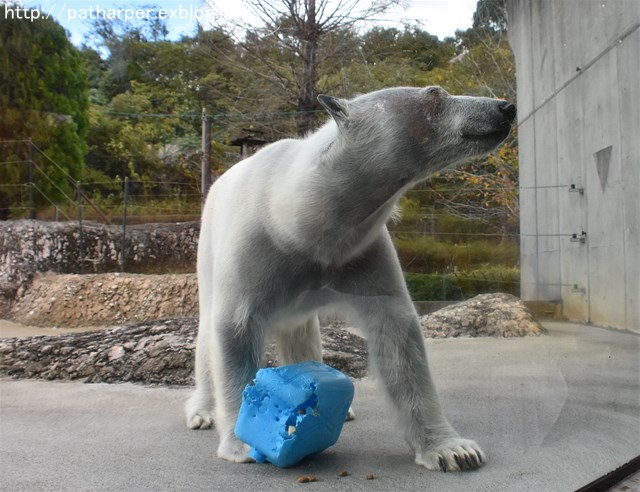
(379, 296)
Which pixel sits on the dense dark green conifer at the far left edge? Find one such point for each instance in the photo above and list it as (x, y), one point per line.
(43, 96)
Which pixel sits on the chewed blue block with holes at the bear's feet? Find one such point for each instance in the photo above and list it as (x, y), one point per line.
(291, 412)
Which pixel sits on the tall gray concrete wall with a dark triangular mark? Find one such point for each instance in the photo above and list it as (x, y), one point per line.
(578, 75)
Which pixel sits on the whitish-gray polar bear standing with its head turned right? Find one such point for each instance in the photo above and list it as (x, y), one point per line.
(299, 228)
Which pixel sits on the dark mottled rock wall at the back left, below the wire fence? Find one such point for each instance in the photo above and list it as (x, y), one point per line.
(27, 247)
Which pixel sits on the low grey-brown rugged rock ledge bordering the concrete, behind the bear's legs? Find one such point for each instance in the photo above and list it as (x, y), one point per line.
(156, 352)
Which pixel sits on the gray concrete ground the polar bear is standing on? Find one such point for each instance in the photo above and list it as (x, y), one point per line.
(553, 413)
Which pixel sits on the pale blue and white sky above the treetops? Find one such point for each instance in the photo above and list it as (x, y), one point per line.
(439, 17)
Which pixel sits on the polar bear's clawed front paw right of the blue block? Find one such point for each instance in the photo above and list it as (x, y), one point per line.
(454, 454)
